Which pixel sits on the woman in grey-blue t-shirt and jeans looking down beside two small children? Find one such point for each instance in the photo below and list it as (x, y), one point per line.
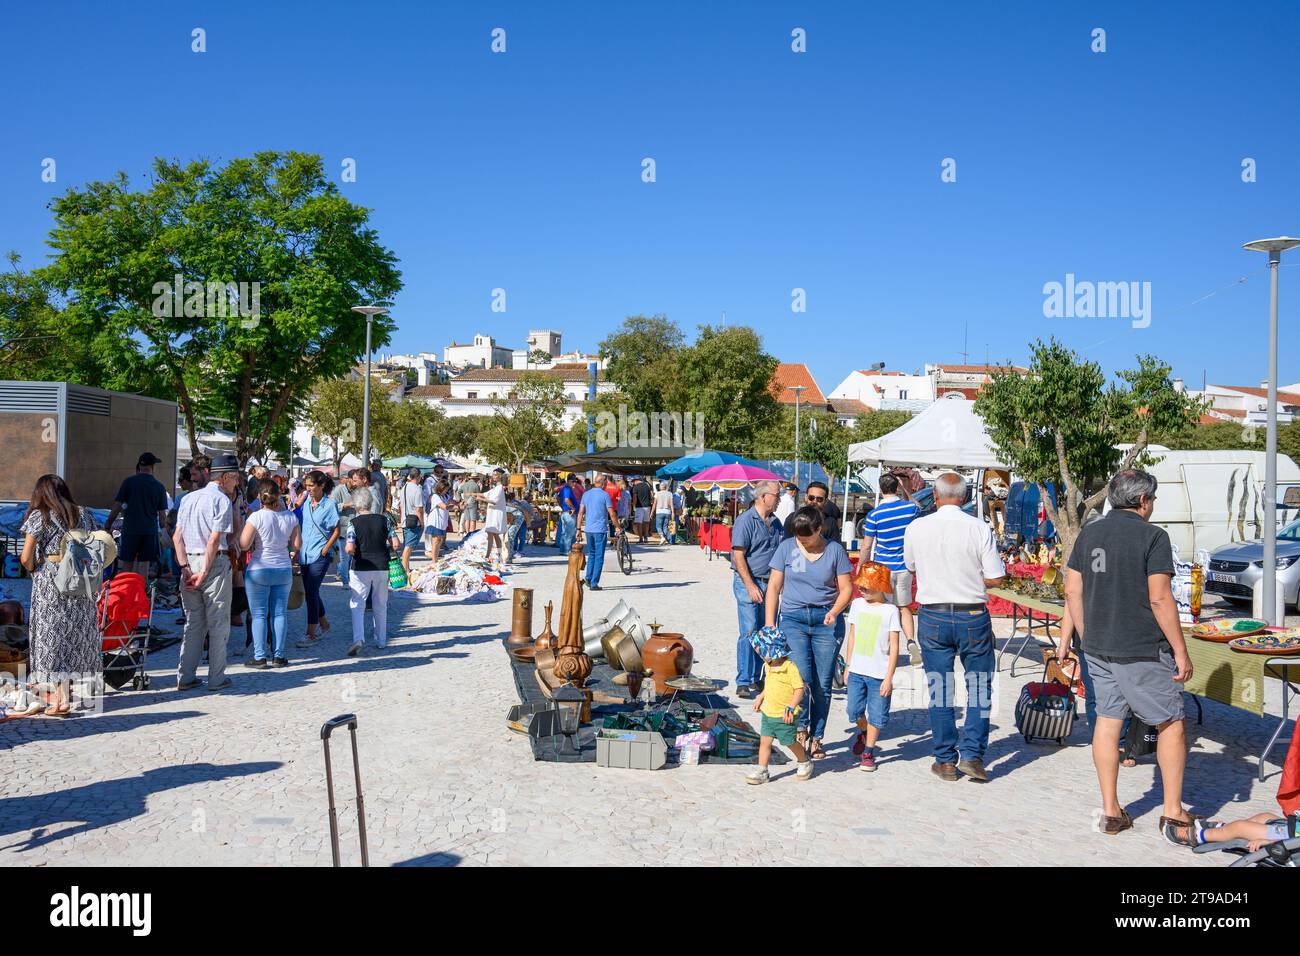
(811, 587)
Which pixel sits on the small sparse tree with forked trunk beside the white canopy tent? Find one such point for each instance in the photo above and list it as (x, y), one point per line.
(1059, 427)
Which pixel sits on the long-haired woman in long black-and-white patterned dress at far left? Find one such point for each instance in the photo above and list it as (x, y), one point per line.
(64, 634)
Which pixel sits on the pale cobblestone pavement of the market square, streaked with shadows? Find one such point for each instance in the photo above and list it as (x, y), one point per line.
(236, 778)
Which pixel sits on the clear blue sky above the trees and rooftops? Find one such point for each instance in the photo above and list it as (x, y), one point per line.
(775, 171)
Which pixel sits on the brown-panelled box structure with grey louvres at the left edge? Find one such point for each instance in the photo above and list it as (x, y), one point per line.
(92, 438)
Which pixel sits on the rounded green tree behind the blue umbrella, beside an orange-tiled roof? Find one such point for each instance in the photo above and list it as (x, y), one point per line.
(726, 375)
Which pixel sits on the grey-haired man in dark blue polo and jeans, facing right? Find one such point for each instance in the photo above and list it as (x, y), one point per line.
(755, 540)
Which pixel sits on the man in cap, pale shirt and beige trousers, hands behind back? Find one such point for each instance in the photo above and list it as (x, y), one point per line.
(203, 529)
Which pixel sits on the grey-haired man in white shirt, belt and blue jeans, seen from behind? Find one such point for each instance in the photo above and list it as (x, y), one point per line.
(956, 560)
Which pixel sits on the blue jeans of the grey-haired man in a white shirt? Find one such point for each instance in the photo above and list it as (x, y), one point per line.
(944, 637)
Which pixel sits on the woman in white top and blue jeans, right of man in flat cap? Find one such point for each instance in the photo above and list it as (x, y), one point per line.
(274, 537)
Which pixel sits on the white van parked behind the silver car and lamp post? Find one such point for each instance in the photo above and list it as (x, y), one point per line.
(1211, 499)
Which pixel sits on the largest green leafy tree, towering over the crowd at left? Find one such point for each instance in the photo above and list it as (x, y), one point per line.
(223, 347)
